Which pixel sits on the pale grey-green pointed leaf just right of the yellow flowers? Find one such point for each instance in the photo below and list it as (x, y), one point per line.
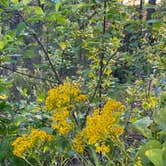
(142, 126)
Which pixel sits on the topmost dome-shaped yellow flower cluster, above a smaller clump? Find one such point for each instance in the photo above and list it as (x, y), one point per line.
(64, 96)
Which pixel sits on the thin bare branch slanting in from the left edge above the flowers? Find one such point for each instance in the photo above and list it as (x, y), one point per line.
(27, 75)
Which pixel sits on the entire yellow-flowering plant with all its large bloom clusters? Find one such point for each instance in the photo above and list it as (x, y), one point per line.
(101, 126)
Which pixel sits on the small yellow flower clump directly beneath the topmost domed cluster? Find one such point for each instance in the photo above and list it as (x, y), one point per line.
(61, 122)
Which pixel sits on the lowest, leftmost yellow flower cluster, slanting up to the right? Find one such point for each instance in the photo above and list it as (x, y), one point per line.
(28, 141)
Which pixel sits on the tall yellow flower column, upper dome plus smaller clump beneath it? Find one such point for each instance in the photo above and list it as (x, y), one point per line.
(61, 101)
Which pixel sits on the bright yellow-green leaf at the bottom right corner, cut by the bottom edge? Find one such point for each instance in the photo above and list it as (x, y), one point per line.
(155, 156)
